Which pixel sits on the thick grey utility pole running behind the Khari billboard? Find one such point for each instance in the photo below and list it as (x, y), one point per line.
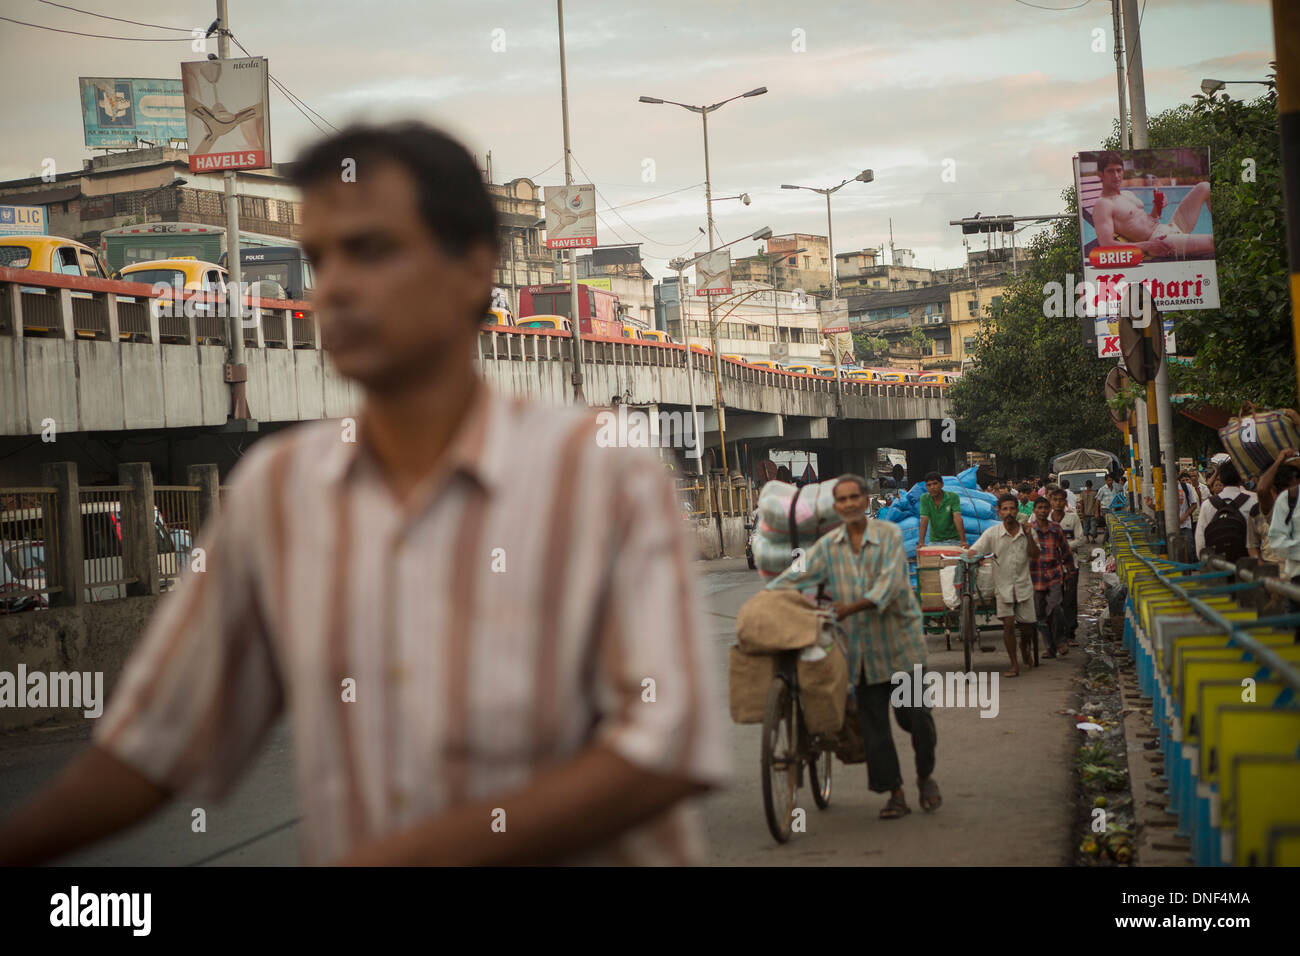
(1160, 426)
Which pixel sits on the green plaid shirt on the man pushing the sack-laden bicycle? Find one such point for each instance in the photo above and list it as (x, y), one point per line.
(887, 639)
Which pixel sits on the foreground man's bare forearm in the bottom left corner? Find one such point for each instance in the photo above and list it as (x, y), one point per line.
(96, 797)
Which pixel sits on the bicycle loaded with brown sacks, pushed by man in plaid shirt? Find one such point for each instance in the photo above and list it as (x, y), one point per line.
(788, 747)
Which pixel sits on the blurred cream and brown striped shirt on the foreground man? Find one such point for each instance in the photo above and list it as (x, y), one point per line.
(441, 651)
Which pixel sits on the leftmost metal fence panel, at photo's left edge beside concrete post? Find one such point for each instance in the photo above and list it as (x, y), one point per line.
(28, 548)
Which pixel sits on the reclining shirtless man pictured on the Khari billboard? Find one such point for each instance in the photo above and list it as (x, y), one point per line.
(1121, 219)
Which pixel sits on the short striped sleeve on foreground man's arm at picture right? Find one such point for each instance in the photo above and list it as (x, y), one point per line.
(656, 680)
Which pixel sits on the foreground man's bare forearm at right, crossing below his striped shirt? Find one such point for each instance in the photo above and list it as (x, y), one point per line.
(562, 812)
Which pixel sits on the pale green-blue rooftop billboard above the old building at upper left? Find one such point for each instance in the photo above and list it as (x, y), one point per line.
(119, 111)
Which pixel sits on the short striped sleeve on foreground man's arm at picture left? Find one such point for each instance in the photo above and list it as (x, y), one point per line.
(201, 689)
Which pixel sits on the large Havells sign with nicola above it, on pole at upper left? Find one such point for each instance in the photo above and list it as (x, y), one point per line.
(227, 114)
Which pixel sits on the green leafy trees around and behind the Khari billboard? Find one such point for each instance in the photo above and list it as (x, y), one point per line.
(1037, 391)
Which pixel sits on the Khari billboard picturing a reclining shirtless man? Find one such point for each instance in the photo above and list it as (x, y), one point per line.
(1145, 218)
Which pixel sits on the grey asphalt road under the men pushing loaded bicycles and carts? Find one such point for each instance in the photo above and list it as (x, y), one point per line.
(1006, 782)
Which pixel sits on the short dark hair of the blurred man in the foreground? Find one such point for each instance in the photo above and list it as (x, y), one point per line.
(453, 200)
